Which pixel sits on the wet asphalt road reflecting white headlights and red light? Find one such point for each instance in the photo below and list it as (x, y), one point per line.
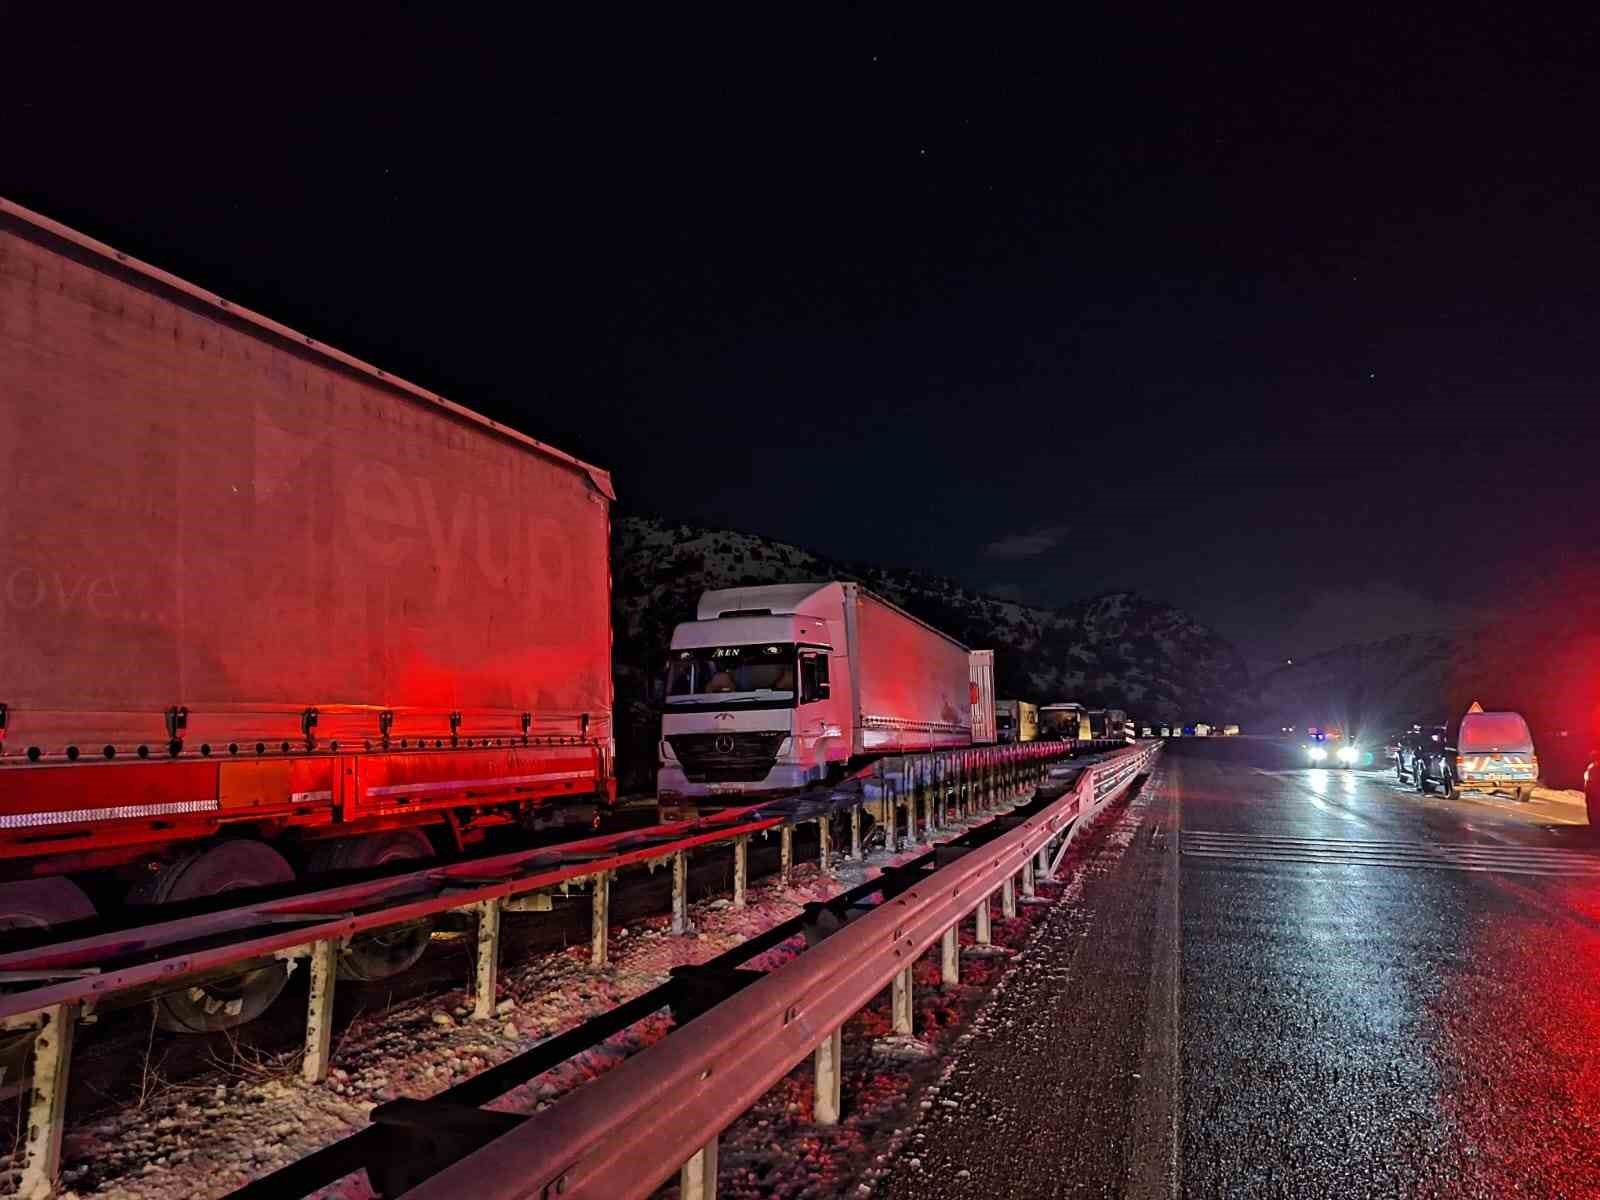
(1294, 983)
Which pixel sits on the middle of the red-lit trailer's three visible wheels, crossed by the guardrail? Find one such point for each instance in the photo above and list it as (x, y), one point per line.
(222, 1004)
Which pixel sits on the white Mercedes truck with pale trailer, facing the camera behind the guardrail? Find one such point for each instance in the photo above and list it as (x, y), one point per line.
(786, 686)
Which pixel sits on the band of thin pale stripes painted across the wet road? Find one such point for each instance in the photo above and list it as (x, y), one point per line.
(1380, 854)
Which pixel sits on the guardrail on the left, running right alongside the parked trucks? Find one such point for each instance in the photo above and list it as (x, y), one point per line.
(62, 983)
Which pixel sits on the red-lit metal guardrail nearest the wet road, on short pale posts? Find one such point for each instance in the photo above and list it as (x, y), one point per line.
(665, 1110)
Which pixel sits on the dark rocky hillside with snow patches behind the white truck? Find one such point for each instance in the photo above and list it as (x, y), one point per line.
(1118, 649)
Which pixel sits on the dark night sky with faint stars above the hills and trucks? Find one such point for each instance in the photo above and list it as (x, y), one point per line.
(1292, 324)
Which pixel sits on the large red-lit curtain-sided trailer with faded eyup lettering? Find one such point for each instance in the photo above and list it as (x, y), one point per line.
(266, 610)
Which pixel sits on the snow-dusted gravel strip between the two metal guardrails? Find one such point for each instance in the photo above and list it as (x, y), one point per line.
(252, 1114)
